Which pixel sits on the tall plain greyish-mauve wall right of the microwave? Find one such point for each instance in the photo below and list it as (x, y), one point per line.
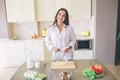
(105, 12)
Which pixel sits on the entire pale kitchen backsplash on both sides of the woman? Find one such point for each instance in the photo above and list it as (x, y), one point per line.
(24, 30)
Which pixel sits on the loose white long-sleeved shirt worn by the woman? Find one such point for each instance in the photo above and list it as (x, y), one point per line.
(60, 40)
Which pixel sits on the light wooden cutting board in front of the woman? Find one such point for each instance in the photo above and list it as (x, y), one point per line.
(63, 65)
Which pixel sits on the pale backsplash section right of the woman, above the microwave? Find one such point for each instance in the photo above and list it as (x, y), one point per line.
(83, 25)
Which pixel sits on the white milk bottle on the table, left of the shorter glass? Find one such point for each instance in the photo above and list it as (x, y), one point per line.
(29, 60)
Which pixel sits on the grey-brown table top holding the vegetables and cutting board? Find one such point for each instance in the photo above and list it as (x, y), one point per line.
(52, 74)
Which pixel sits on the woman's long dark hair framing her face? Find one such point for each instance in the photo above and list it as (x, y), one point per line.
(66, 21)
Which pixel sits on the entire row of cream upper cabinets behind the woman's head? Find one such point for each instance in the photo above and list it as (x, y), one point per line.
(45, 10)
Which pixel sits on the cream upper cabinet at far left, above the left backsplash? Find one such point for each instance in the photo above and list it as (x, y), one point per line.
(20, 10)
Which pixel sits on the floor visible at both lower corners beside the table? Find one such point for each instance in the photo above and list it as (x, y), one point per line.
(6, 73)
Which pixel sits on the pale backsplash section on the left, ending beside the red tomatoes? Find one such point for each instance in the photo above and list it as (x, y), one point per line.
(22, 30)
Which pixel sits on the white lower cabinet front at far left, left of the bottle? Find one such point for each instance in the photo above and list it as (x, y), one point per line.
(15, 53)
